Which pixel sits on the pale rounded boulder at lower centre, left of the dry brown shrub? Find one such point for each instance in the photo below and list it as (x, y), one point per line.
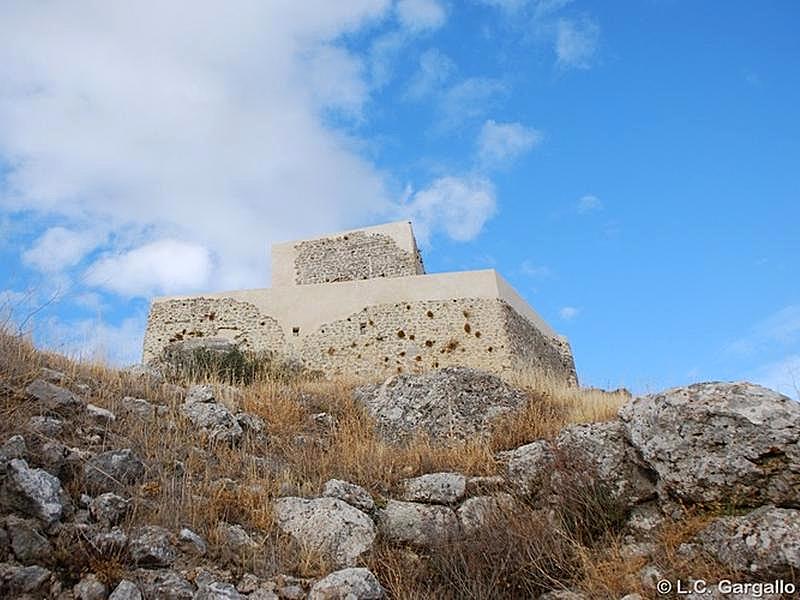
(328, 525)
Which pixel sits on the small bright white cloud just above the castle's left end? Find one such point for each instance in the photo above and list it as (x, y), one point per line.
(164, 266)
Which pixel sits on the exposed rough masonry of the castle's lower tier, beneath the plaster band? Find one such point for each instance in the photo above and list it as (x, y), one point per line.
(376, 342)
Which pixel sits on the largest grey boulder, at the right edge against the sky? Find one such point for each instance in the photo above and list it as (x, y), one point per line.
(719, 442)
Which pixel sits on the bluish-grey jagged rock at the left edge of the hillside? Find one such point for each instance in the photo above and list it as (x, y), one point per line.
(32, 492)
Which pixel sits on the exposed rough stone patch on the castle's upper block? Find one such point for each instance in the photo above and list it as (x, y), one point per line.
(353, 256)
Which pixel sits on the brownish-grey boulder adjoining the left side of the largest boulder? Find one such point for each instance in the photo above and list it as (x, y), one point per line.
(601, 451)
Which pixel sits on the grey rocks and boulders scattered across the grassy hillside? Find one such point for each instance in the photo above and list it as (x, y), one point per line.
(696, 445)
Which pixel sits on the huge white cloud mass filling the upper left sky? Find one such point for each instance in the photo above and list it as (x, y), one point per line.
(186, 120)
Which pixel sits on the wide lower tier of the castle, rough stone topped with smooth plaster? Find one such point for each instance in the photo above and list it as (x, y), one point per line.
(380, 338)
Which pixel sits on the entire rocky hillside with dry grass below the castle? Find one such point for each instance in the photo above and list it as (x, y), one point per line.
(124, 485)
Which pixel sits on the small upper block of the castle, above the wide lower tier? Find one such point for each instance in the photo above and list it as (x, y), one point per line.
(384, 251)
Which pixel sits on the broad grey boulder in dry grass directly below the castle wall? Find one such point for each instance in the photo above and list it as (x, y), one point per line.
(454, 402)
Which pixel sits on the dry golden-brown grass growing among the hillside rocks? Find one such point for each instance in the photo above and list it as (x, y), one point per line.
(192, 482)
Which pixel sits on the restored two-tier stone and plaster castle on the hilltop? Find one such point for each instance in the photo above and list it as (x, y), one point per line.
(359, 303)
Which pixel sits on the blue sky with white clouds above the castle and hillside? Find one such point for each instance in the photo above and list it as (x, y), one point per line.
(632, 168)
